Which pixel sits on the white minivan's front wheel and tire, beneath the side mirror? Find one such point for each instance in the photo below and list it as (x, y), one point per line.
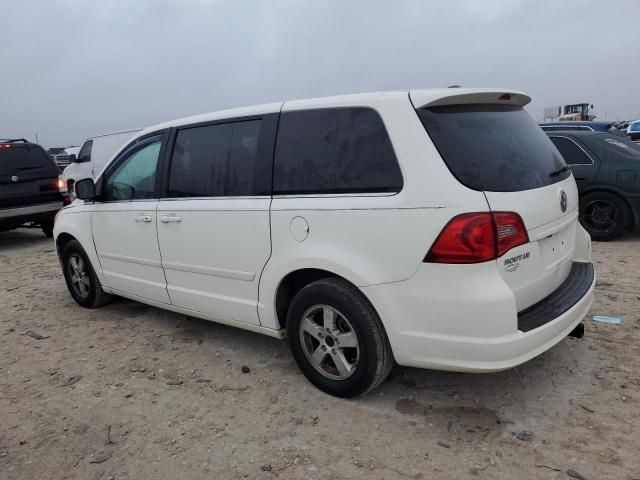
(82, 281)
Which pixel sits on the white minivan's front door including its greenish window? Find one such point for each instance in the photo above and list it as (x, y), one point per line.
(124, 223)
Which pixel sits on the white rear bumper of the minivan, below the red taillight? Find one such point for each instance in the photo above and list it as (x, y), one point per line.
(466, 319)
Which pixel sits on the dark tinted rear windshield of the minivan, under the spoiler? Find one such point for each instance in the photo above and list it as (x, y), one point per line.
(497, 148)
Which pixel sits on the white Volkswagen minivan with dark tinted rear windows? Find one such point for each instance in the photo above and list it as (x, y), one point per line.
(429, 228)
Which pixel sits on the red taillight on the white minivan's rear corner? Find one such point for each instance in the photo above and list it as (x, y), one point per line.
(478, 237)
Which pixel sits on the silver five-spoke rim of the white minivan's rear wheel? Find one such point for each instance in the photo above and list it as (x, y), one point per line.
(329, 342)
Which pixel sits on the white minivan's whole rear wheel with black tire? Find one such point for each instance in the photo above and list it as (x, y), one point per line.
(337, 338)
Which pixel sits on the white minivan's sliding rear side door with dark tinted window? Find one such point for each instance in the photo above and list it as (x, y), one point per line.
(213, 227)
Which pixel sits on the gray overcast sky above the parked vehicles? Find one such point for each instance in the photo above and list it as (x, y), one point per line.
(73, 69)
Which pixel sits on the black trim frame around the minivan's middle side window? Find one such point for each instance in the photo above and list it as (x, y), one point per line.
(267, 135)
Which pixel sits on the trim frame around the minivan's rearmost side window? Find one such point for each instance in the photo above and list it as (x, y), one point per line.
(364, 192)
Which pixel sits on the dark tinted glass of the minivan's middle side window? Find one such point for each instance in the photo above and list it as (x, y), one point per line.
(217, 160)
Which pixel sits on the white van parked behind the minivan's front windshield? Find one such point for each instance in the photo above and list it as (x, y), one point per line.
(94, 155)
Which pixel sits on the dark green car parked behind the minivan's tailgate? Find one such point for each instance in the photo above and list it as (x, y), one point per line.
(607, 171)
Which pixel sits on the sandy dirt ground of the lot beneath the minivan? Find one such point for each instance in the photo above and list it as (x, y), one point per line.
(132, 392)
